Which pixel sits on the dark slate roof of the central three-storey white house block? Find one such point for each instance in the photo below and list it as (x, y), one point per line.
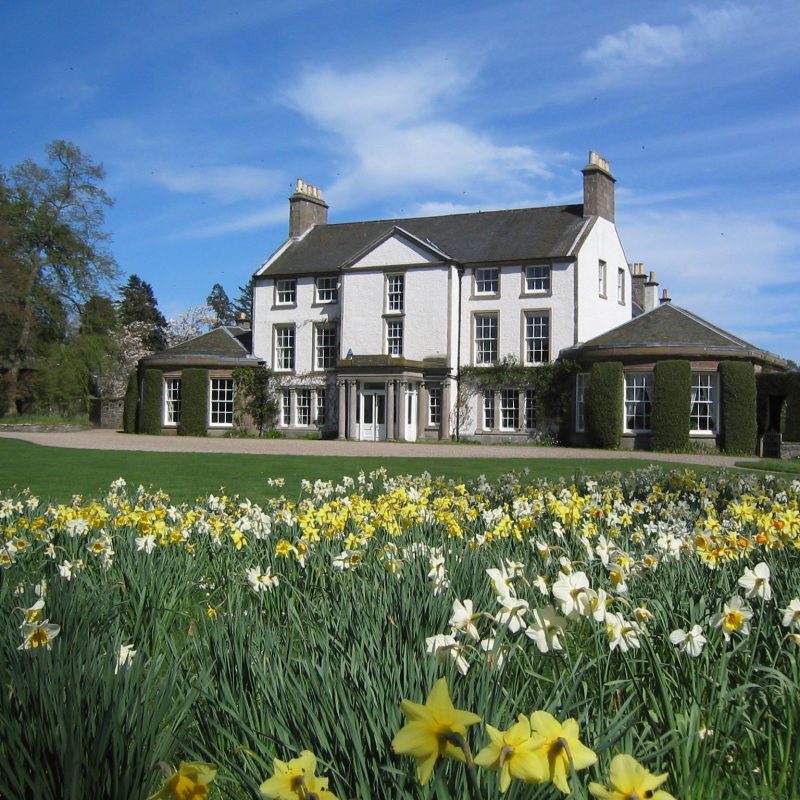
(514, 235)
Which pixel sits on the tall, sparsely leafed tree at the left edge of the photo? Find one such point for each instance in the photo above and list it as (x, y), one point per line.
(52, 250)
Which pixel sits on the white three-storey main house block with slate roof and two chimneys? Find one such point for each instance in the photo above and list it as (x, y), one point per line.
(368, 325)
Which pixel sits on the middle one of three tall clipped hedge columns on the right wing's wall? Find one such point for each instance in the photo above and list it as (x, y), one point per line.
(671, 406)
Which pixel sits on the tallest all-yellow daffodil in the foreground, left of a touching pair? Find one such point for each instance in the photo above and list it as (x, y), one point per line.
(432, 730)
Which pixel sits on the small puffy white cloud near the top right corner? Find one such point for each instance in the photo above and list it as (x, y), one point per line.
(645, 46)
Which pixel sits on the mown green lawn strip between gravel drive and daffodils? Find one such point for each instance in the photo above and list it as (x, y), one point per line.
(59, 473)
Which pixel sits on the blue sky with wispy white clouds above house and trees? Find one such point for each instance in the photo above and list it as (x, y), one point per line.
(204, 114)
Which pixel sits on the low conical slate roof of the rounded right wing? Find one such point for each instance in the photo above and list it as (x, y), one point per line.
(668, 329)
